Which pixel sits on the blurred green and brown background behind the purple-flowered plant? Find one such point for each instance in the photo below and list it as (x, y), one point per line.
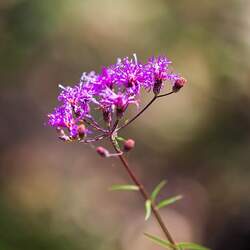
(54, 195)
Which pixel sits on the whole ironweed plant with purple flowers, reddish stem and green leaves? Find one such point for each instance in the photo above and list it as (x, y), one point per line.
(94, 110)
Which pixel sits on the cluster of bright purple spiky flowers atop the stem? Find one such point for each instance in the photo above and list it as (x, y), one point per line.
(110, 92)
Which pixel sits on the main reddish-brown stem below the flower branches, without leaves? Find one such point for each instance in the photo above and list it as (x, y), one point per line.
(144, 195)
